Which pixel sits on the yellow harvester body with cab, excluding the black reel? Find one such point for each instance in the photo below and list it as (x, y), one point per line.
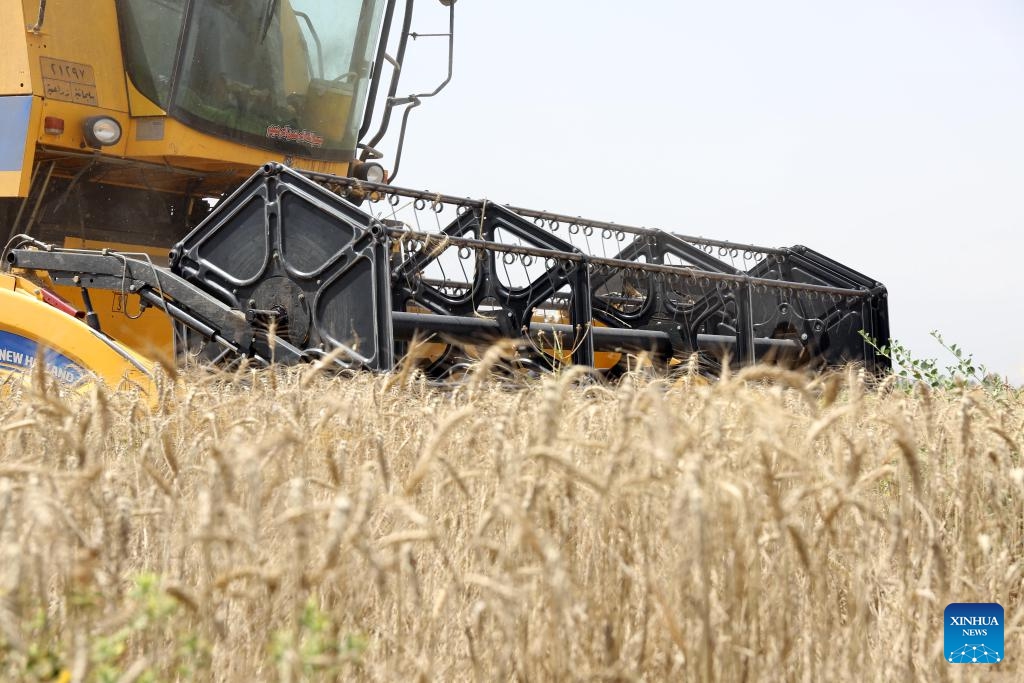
(203, 93)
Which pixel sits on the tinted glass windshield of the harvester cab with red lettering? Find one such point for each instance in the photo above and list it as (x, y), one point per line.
(284, 75)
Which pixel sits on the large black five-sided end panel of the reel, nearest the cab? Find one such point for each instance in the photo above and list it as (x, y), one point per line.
(295, 259)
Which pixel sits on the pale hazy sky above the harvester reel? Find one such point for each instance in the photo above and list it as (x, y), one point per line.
(887, 135)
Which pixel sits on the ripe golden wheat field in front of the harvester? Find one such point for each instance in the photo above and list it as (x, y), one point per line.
(286, 526)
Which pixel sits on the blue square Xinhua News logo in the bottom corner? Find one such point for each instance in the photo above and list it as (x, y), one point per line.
(973, 633)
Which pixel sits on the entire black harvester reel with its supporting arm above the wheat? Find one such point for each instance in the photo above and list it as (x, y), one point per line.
(286, 270)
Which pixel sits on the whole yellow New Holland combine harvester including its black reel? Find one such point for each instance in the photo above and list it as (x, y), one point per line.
(123, 120)
